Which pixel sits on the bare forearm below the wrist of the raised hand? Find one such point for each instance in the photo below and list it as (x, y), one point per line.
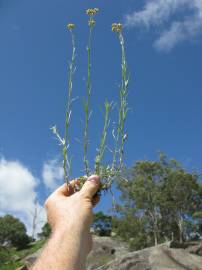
(65, 250)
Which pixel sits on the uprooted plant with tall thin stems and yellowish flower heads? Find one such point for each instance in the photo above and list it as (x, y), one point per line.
(107, 172)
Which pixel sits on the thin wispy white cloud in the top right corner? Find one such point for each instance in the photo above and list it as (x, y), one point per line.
(160, 12)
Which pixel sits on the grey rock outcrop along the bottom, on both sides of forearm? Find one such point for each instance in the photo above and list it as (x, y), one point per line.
(110, 254)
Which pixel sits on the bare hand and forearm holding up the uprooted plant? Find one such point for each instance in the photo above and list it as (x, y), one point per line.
(70, 216)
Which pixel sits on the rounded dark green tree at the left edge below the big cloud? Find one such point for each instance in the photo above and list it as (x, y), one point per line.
(13, 232)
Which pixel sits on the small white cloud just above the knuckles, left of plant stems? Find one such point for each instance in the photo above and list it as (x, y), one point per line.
(52, 174)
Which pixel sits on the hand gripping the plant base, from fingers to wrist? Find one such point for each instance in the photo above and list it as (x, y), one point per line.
(70, 212)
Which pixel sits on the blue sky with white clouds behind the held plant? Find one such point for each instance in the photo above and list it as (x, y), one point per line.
(164, 44)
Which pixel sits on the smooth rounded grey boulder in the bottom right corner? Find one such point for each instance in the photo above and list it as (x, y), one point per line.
(156, 258)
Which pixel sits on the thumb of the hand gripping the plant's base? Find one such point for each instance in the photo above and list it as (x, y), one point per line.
(91, 186)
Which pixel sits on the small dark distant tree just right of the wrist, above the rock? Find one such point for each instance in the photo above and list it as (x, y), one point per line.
(102, 224)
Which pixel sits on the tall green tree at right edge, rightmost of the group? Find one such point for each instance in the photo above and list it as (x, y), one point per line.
(181, 198)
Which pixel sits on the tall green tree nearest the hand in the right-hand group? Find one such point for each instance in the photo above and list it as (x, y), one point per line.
(143, 193)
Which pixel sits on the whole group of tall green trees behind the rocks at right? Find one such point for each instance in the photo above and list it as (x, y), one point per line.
(161, 201)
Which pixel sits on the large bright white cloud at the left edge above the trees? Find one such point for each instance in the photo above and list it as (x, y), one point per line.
(17, 193)
